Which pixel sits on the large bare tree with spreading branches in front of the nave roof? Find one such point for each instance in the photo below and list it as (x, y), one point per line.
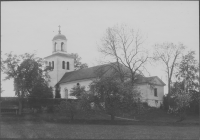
(124, 46)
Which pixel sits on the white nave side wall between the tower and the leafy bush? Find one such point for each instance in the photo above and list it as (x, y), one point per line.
(70, 85)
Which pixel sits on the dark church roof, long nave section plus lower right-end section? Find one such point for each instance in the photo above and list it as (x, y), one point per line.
(90, 73)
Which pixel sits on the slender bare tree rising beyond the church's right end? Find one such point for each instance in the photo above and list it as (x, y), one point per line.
(168, 54)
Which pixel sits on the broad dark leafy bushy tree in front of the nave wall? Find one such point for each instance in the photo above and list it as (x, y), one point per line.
(112, 96)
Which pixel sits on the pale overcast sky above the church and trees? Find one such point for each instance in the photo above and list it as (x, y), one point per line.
(30, 26)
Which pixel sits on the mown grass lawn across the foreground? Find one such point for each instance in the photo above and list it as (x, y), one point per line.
(27, 127)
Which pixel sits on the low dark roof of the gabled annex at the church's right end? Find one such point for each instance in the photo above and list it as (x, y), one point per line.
(149, 80)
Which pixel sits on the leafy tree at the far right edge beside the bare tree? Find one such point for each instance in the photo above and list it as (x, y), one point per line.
(185, 90)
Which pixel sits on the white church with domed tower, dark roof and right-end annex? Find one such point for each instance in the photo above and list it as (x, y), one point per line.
(64, 74)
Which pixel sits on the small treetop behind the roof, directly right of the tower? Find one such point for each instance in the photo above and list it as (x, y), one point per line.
(77, 62)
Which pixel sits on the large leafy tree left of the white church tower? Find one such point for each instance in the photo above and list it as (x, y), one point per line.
(28, 72)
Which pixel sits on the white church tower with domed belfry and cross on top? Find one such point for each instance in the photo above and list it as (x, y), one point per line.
(60, 61)
